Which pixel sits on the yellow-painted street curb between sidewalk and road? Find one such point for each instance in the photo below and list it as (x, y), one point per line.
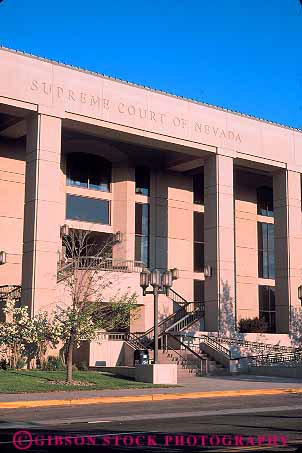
(143, 398)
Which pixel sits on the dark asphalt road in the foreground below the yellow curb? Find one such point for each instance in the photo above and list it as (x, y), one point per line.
(199, 425)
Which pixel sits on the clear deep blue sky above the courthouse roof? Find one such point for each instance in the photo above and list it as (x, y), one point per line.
(242, 55)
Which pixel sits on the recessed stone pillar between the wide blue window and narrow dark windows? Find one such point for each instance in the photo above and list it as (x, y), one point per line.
(124, 210)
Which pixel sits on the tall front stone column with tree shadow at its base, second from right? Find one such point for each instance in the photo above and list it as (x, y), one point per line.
(219, 244)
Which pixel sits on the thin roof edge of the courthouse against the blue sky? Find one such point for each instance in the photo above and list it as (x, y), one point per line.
(154, 90)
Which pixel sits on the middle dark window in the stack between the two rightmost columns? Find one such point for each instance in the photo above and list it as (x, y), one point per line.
(266, 254)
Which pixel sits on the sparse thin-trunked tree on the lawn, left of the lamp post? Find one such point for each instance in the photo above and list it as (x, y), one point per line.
(89, 274)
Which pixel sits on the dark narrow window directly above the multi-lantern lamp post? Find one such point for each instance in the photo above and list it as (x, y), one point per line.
(142, 233)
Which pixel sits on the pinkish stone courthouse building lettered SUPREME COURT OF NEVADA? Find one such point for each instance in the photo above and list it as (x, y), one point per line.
(185, 184)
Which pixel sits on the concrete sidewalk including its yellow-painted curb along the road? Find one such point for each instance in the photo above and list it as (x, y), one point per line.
(199, 388)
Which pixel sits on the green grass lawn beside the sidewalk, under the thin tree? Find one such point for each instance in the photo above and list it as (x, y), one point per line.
(45, 381)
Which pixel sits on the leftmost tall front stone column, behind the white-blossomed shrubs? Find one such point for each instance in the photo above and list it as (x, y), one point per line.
(43, 212)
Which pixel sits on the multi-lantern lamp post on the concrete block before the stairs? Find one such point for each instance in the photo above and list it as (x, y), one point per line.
(161, 284)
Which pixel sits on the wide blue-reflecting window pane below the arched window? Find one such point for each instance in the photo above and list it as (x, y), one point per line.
(87, 209)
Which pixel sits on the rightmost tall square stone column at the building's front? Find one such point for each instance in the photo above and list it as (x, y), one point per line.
(288, 248)
